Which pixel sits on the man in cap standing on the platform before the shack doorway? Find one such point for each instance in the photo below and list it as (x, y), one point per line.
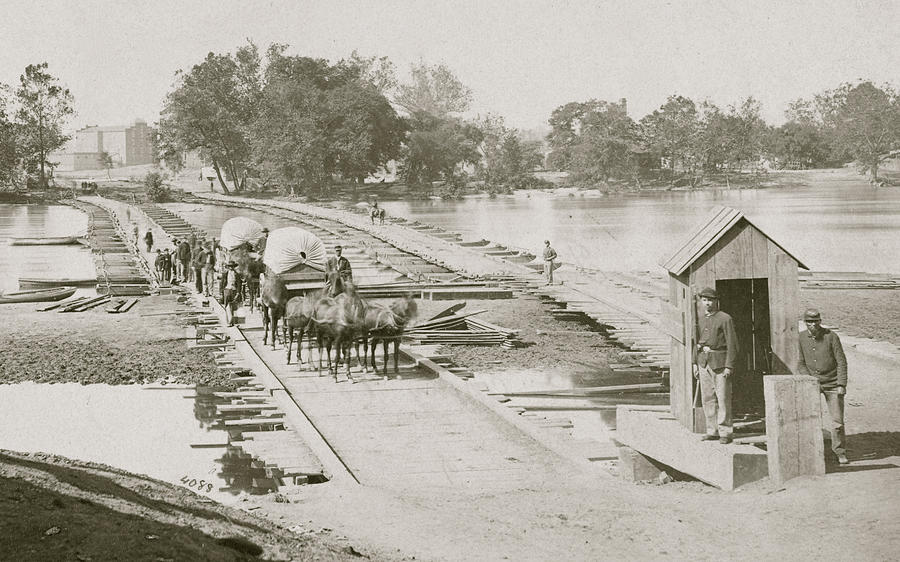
(714, 357)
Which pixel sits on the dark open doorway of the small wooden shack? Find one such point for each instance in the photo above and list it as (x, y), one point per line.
(747, 301)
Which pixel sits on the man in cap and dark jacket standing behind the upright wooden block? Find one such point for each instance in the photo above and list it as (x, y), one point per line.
(822, 356)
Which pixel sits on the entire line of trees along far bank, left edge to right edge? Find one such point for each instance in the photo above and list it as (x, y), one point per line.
(298, 124)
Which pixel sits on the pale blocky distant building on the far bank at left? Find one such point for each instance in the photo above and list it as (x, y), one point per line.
(129, 145)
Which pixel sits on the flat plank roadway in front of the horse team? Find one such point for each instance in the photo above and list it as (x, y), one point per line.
(412, 431)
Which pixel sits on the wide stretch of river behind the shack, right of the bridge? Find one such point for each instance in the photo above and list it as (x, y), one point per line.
(837, 224)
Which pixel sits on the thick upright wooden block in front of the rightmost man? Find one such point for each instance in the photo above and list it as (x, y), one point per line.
(793, 427)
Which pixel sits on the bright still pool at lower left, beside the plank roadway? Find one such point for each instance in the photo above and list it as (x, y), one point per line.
(141, 430)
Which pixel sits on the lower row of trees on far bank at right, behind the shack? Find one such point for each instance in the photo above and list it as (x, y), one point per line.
(596, 141)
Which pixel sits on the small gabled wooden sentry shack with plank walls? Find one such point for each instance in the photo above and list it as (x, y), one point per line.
(756, 279)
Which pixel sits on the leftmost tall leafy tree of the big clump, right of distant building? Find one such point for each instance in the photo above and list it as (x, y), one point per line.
(213, 108)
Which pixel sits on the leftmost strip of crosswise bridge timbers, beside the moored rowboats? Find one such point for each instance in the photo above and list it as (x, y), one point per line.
(118, 271)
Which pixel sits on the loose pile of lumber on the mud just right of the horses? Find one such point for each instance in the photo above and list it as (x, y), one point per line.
(463, 329)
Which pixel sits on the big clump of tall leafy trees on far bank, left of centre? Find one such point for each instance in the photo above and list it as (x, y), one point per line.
(297, 123)
